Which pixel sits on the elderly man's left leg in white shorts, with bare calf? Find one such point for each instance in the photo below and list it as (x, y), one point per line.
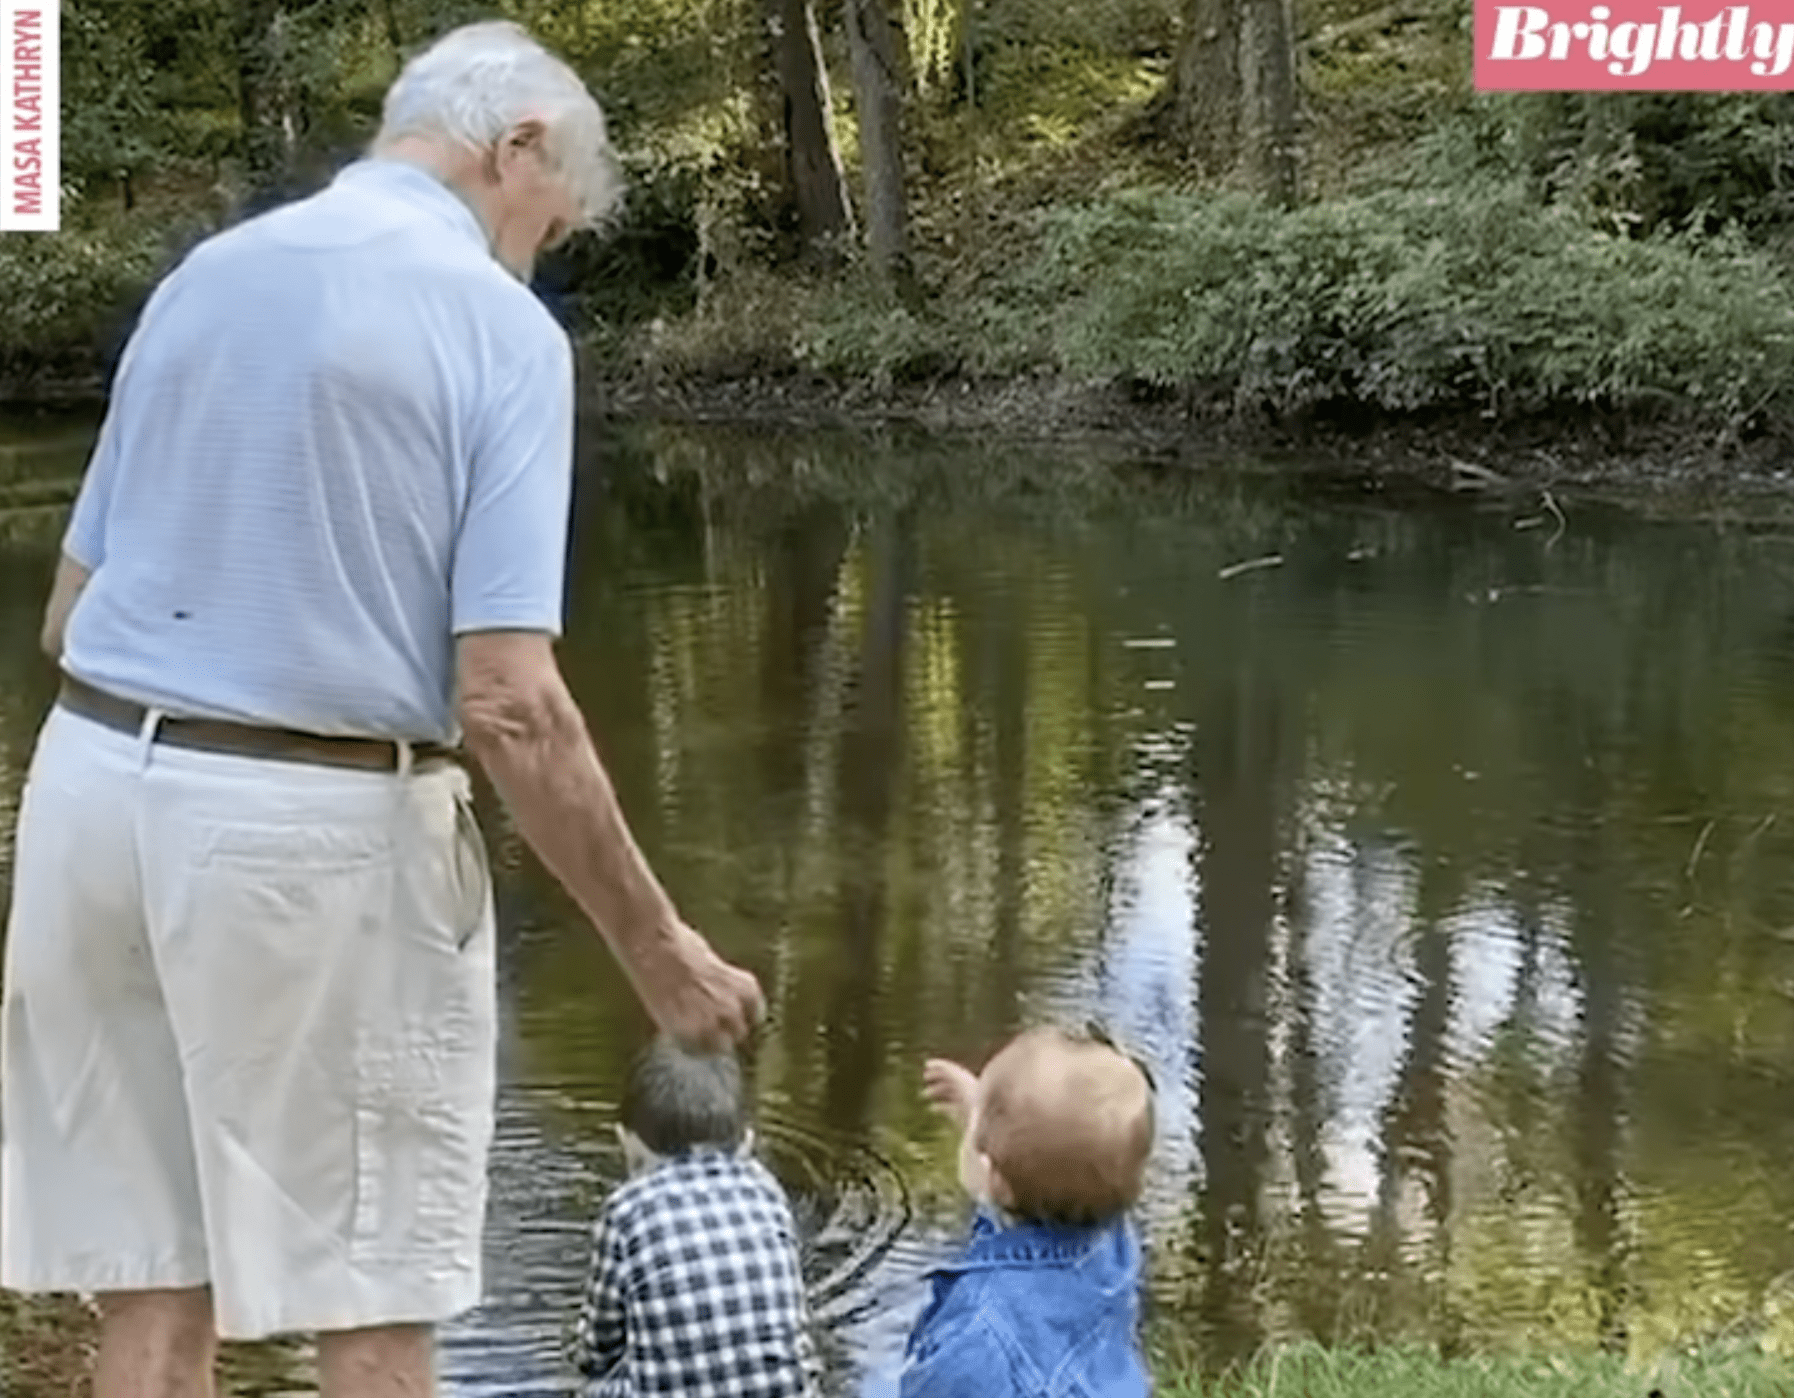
(98, 1182)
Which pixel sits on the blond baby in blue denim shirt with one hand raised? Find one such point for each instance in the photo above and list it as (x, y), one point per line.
(1045, 1300)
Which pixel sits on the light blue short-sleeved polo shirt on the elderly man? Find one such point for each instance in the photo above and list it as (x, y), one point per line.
(340, 437)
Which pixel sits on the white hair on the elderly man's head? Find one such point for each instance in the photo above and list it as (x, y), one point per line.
(480, 82)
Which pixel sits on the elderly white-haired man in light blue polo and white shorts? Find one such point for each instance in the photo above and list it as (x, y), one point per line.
(248, 1018)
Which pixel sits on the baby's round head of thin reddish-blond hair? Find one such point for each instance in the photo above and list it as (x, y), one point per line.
(1068, 1126)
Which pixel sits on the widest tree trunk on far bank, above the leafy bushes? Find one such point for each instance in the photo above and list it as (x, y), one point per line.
(1235, 100)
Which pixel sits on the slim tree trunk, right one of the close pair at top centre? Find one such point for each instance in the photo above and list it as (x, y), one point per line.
(875, 44)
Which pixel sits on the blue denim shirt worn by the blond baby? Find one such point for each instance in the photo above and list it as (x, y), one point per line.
(1032, 1311)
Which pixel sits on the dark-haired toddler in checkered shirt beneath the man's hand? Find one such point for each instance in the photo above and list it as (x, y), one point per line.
(695, 1288)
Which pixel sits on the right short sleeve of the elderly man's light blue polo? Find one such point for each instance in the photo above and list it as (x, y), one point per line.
(510, 557)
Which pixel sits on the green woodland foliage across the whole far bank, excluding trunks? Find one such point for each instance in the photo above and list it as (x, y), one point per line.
(1605, 250)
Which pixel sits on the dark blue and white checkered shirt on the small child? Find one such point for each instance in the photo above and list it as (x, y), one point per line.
(697, 1288)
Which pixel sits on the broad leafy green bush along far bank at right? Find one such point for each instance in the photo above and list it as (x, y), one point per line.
(1409, 301)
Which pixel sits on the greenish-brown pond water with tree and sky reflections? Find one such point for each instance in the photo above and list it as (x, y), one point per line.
(1441, 864)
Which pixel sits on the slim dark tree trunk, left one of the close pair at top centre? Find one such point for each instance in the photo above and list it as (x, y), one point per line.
(814, 166)
